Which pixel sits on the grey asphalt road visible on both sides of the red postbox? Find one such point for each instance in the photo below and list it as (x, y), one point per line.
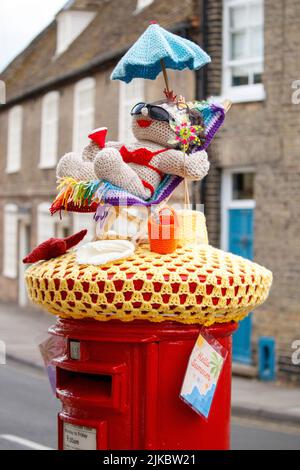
(28, 414)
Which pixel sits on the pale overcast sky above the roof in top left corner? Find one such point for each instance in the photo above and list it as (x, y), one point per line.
(20, 22)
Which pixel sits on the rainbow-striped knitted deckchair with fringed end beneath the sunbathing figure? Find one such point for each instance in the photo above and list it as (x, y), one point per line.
(86, 196)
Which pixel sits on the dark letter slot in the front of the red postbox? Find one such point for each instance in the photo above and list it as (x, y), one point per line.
(86, 384)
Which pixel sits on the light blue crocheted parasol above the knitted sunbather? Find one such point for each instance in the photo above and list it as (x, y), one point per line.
(156, 50)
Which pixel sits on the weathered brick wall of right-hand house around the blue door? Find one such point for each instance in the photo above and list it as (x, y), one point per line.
(266, 136)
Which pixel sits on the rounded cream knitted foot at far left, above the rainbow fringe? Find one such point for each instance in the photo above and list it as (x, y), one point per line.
(71, 165)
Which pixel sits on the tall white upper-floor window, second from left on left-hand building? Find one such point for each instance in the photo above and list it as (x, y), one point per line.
(49, 130)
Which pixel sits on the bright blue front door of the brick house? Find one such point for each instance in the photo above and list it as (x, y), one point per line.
(241, 243)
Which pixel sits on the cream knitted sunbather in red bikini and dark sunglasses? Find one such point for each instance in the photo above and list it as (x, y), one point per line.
(139, 167)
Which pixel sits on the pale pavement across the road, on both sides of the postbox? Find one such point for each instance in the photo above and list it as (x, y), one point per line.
(22, 330)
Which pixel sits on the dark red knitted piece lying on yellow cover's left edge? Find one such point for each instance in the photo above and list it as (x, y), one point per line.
(54, 247)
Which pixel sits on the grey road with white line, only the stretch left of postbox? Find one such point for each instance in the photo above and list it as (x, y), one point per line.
(28, 420)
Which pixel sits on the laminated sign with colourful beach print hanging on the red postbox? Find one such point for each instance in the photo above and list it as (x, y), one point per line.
(202, 375)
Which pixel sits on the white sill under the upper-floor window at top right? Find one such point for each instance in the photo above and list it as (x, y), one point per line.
(243, 94)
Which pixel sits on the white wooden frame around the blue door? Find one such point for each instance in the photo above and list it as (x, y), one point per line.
(227, 201)
